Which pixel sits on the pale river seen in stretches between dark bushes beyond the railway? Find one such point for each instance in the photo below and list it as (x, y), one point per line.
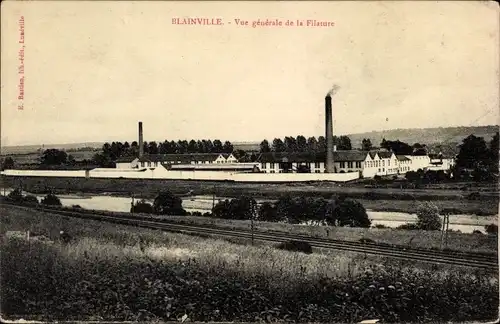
(203, 204)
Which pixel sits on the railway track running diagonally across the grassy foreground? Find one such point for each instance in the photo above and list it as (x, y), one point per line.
(485, 262)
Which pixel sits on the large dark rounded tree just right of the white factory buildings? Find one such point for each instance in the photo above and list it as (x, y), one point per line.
(473, 151)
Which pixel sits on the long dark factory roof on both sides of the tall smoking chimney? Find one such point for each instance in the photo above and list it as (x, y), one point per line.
(299, 157)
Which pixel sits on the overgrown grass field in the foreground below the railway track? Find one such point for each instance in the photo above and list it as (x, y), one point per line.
(111, 272)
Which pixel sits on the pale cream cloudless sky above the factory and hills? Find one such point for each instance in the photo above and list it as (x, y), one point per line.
(92, 70)
